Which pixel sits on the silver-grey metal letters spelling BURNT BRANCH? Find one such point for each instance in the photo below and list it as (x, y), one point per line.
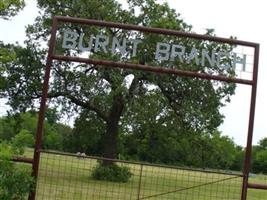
(163, 51)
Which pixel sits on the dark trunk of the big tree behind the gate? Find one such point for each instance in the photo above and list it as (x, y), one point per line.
(110, 139)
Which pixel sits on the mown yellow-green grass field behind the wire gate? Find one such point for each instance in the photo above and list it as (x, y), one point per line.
(68, 177)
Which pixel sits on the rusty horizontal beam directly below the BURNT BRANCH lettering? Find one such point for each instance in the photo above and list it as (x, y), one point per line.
(152, 69)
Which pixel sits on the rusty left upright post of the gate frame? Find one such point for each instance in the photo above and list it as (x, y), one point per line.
(39, 130)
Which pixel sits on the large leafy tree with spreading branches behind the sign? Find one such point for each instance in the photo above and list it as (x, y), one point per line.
(113, 97)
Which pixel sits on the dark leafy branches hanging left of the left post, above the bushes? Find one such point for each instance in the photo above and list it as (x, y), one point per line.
(24, 70)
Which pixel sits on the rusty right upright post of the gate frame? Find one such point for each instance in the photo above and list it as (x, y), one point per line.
(247, 160)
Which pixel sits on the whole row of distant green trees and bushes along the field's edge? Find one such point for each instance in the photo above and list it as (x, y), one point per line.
(149, 142)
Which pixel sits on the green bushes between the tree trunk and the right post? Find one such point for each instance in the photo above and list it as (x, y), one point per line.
(165, 145)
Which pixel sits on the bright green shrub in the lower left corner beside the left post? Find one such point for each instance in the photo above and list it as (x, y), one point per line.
(15, 180)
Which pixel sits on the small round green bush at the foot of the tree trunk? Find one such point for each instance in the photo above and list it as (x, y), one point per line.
(113, 173)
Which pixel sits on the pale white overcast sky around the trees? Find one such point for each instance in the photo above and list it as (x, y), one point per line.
(244, 19)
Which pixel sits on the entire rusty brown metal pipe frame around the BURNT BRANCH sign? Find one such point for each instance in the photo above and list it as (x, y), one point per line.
(51, 57)
